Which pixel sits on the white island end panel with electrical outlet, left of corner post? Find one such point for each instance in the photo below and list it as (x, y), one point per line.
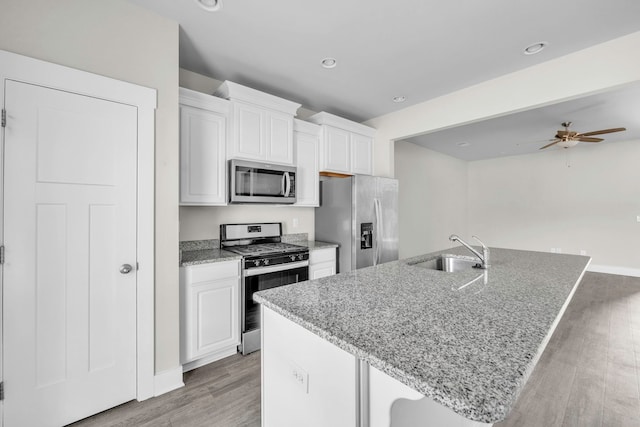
(306, 381)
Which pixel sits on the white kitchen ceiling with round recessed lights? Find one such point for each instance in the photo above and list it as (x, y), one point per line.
(418, 49)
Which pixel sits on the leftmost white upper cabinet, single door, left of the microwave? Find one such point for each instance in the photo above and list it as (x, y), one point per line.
(203, 135)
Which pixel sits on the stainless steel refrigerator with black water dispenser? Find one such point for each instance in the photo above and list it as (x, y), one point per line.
(360, 213)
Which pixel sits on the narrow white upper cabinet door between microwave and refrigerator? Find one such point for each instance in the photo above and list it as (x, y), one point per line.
(307, 186)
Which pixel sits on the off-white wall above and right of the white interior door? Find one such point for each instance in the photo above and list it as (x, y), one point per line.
(119, 40)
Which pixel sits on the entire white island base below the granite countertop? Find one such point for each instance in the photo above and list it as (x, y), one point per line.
(307, 381)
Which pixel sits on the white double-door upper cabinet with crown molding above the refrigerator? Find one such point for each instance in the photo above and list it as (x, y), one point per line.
(346, 147)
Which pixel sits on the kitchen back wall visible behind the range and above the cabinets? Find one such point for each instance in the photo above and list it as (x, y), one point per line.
(198, 223)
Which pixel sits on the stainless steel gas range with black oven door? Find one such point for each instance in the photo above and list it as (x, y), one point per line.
(267, 263)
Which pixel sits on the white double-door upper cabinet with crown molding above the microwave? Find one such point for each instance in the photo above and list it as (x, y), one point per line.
(262, 125)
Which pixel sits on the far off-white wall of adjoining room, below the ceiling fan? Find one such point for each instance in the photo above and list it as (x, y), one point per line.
(537, 202)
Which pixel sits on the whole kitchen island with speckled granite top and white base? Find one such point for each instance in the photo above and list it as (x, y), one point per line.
(358, 344)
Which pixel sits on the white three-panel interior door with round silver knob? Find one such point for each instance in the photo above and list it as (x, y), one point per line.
(69, 224)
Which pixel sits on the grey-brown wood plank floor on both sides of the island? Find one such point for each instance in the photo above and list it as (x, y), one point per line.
(587, 376)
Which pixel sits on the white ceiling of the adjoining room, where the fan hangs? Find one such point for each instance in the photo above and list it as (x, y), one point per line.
(525, 132)
